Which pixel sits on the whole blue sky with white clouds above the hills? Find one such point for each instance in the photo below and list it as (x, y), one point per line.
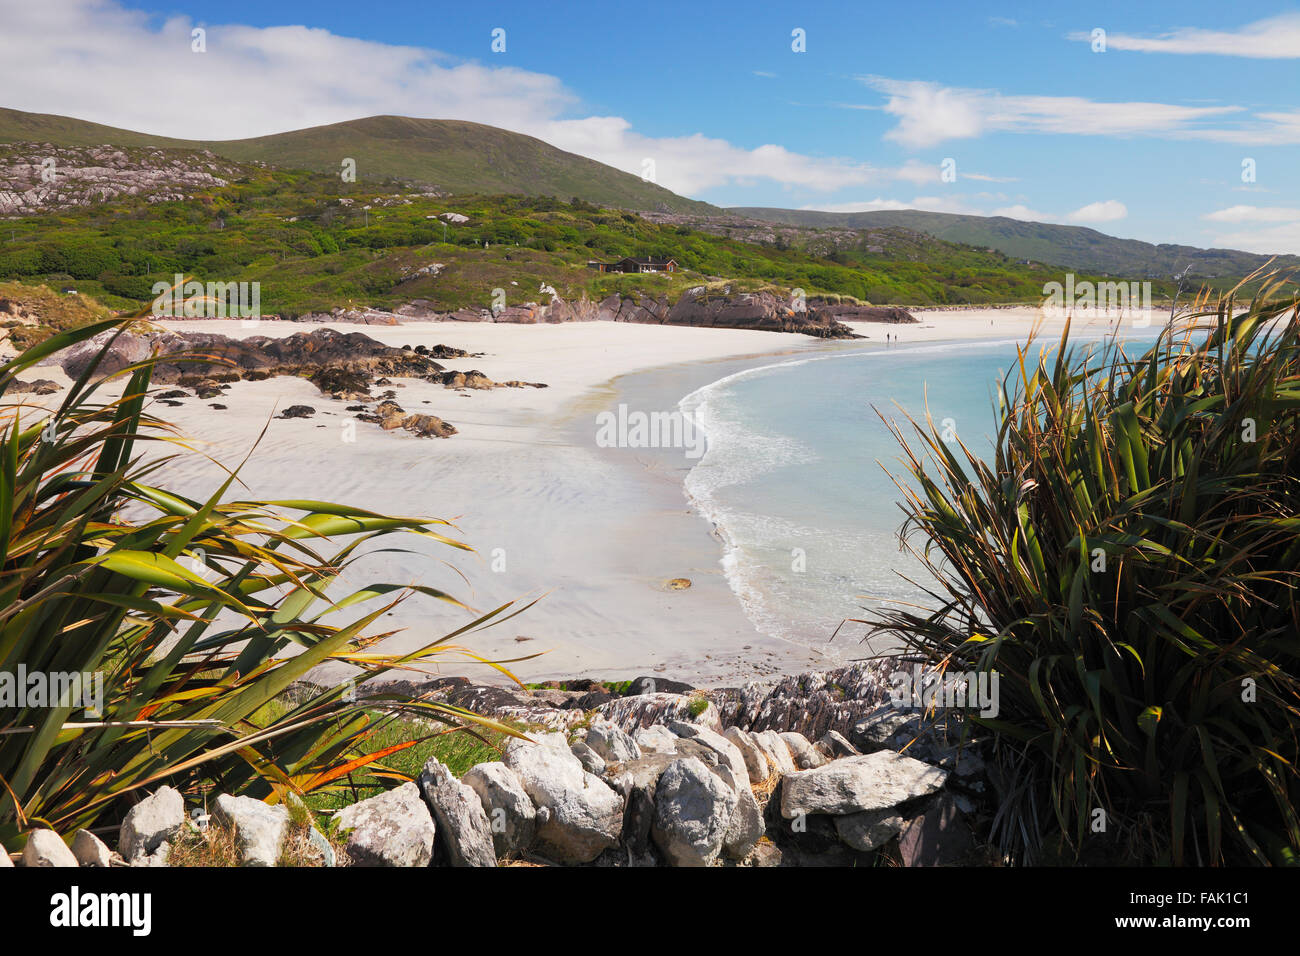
(1160, 122)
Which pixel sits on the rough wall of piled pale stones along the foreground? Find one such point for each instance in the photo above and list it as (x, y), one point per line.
(658, 778)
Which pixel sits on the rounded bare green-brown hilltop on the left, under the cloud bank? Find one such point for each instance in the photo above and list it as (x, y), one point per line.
(453, 155)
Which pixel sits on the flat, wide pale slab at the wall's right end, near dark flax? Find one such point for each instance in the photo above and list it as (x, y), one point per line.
(874, 782)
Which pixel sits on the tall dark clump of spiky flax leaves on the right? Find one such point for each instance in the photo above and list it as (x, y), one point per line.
(1129, 564)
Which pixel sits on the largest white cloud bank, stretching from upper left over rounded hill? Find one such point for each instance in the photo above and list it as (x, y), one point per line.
(97, 60)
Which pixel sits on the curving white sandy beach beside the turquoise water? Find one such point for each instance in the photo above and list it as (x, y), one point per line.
(596, 533)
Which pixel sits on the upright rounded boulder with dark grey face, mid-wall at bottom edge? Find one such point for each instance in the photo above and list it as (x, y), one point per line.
(694, 811)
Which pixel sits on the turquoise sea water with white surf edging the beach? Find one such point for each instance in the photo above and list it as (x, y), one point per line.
(798, 477)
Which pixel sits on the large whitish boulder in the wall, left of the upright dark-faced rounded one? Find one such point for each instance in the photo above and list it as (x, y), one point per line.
(584, 816)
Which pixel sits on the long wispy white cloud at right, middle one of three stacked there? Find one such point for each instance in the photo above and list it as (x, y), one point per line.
(930, 114)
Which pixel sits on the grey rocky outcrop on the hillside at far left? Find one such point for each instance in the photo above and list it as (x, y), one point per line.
(41, 178)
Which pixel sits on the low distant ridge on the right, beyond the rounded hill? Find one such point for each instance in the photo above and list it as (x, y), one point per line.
(1074, 248)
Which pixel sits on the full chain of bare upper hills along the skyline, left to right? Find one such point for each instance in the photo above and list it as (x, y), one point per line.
(463, 158)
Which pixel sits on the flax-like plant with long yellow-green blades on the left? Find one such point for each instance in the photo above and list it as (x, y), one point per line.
(188, 609)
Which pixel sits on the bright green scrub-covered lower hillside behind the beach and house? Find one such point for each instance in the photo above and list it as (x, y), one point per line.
(313, 245)
